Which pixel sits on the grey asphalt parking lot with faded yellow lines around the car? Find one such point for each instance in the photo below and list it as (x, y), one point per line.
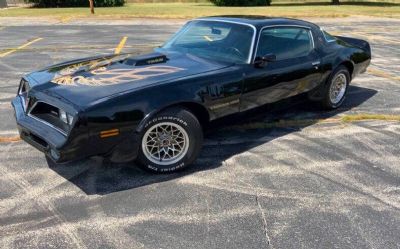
(310, 180)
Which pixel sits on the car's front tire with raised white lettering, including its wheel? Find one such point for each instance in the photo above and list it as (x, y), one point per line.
(170, 141)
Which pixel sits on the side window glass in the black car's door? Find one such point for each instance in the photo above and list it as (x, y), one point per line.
(285, 42)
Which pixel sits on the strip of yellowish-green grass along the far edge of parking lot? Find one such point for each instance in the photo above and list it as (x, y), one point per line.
(193, 10)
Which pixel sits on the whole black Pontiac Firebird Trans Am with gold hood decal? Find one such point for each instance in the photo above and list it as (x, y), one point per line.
(152, 107)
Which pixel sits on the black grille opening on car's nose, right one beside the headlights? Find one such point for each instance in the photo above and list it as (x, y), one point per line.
(49, 114)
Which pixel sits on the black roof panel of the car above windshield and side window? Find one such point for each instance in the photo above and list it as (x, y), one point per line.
(260, 21)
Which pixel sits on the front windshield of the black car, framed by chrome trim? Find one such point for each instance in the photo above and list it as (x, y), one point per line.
(215, 40)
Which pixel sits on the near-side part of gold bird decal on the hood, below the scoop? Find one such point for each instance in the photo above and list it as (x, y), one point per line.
(107, 76)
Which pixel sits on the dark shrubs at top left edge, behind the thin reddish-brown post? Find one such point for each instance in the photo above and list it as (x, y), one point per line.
(75, 3)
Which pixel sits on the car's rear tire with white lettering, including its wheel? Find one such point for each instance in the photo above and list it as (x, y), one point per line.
(339, 75)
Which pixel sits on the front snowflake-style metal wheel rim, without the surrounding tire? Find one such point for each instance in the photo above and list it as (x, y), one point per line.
(165, 143)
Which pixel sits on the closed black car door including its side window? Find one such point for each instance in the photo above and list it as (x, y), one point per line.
(295, 70)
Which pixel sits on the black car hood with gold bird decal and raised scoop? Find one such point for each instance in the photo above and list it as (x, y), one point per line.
(83, 82)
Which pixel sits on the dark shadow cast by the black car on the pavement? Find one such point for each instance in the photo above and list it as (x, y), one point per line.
(223, 139)
